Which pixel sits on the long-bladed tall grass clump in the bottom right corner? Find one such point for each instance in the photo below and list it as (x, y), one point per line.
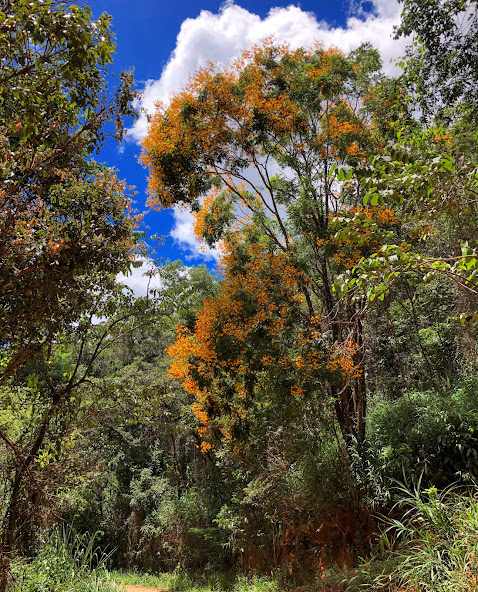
(432, 547)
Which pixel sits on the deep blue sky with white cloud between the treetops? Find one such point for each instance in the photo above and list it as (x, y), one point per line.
(164, 41)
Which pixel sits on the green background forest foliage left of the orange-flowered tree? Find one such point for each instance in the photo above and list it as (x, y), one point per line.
(145, 483)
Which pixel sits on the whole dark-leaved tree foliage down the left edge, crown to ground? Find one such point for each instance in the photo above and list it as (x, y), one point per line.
(66, 231)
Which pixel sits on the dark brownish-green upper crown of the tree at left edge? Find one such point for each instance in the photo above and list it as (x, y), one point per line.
(65, 224)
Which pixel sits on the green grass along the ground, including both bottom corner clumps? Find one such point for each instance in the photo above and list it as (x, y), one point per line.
(428, 543)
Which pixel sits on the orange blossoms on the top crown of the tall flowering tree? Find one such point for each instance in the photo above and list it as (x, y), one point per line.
(215, 127)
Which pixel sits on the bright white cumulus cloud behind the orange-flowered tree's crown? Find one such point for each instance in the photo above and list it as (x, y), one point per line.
(221, 37)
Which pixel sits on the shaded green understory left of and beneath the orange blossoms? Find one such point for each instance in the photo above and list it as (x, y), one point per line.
(163, 503)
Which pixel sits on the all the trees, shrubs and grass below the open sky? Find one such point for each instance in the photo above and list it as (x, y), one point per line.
(307, 413)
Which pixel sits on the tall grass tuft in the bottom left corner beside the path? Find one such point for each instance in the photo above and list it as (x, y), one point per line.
(67, 561)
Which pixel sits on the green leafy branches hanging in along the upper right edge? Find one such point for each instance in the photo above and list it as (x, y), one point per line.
(428, 172)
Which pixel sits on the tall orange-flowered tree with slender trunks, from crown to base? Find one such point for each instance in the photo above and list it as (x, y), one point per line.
(272, 137)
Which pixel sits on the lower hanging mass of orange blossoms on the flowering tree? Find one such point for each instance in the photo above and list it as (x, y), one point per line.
(213, 362)
